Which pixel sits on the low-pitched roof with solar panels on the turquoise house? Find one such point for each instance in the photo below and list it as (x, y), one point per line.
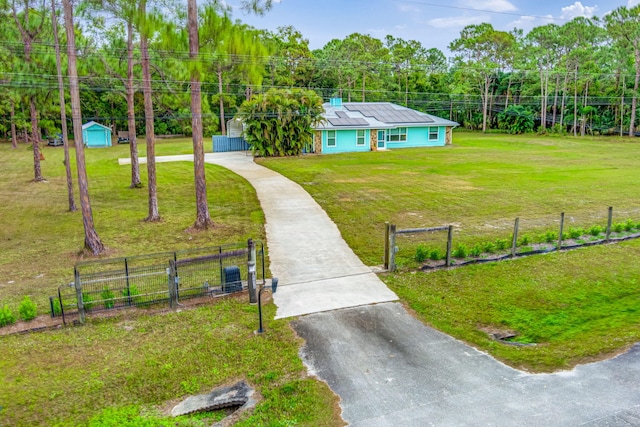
(376, 115)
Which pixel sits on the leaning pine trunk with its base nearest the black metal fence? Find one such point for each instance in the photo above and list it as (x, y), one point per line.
(91, 240)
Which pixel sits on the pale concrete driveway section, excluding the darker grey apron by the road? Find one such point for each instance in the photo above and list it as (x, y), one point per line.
(317, 270)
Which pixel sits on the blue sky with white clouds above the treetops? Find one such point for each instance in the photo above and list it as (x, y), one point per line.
(434, 23)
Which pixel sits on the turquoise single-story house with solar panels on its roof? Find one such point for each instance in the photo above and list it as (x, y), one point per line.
(373, 126)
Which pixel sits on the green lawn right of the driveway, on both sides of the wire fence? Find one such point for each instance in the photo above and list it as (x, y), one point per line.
(575, 306)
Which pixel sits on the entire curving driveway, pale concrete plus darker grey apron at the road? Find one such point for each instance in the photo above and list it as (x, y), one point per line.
(387, 367)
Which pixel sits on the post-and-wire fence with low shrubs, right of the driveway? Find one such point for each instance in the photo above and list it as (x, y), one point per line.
(427, 248)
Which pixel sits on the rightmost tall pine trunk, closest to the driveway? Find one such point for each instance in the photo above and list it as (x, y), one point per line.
(202, 207)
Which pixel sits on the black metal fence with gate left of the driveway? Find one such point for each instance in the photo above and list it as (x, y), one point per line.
(162, 278)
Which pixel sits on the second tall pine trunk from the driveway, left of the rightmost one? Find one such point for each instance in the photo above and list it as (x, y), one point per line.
(154, 215)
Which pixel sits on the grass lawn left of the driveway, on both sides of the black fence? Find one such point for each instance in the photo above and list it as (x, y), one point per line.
(129, 370)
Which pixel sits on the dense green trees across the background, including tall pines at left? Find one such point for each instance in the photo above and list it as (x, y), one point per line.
(151, 67)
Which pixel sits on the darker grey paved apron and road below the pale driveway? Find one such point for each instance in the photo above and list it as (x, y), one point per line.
(390, 369)
